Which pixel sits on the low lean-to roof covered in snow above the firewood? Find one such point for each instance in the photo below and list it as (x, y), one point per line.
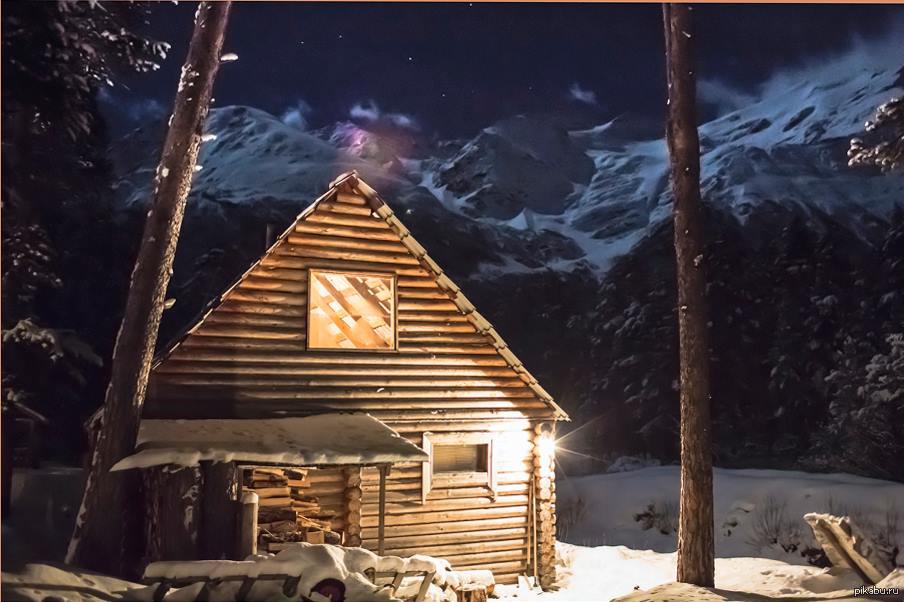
(322, 439)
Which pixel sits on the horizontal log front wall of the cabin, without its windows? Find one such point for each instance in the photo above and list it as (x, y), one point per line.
(451, 372)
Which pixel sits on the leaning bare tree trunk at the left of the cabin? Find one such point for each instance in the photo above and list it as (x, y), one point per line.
(108, 522)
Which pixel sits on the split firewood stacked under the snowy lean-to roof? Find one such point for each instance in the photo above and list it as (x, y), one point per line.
(286, 513)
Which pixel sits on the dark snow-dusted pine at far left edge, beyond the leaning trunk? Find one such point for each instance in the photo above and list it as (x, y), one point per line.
(56, 57)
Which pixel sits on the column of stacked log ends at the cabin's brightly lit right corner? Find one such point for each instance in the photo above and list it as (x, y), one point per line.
(544, 469)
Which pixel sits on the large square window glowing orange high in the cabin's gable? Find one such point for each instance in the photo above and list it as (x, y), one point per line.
(351, 311)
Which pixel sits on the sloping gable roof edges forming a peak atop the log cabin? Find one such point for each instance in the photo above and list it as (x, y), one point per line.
(350, 183)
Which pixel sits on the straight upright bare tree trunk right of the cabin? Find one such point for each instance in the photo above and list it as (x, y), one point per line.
(695, 523)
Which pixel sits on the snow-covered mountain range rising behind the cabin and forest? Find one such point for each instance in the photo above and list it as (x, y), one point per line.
(541, 195)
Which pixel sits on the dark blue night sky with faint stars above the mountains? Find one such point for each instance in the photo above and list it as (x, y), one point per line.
(455, 68)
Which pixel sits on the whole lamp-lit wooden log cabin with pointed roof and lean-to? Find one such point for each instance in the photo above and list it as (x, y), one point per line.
(347, 314)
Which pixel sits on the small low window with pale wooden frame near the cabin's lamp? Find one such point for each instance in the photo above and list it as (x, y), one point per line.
(456, 459)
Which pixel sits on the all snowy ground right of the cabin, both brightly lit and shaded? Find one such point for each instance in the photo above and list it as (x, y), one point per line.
(761, 538)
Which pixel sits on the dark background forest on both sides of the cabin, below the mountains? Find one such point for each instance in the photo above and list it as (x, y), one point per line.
(808, 370)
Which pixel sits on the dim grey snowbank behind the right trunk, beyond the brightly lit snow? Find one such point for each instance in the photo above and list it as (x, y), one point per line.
(751, 506)
